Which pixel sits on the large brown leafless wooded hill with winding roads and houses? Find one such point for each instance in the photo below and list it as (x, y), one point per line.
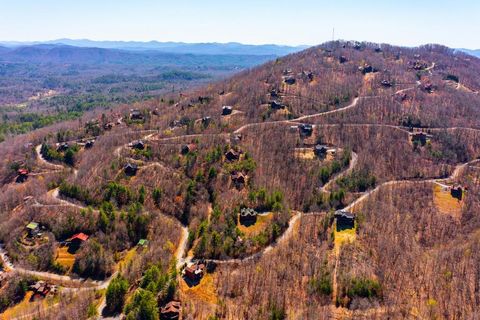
(340, 182)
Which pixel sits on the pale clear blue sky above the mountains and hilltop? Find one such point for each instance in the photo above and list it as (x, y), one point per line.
(404, 22)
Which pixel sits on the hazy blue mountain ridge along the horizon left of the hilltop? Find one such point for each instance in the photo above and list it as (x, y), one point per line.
(171, 47)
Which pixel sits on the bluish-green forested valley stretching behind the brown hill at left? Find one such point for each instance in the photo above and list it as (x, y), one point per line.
(49, 83)
